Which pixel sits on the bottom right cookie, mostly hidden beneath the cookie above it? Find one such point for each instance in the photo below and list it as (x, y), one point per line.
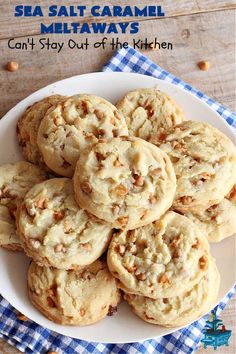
(183, 309)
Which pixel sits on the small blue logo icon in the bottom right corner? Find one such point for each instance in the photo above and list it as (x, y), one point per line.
(215, 333)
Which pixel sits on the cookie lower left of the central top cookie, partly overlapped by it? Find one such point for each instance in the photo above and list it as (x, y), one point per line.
(55, 231)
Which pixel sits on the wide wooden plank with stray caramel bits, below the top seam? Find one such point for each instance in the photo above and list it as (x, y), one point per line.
(195, 37)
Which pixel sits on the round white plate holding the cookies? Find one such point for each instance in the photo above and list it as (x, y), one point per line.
(125, 326)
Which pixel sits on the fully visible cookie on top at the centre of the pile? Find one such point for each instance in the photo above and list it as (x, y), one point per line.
(125, 181)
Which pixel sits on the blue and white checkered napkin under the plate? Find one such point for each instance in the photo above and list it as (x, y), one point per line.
(31, 338)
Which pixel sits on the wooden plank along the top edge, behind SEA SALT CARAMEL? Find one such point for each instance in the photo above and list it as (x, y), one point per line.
(20, 26)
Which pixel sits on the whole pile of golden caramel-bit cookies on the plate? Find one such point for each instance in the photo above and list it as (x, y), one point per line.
(118, 201)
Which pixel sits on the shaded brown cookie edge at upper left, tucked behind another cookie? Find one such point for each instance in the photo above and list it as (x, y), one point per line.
(28, 125)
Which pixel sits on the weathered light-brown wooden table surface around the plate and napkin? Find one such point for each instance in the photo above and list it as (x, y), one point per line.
(198, 30)
